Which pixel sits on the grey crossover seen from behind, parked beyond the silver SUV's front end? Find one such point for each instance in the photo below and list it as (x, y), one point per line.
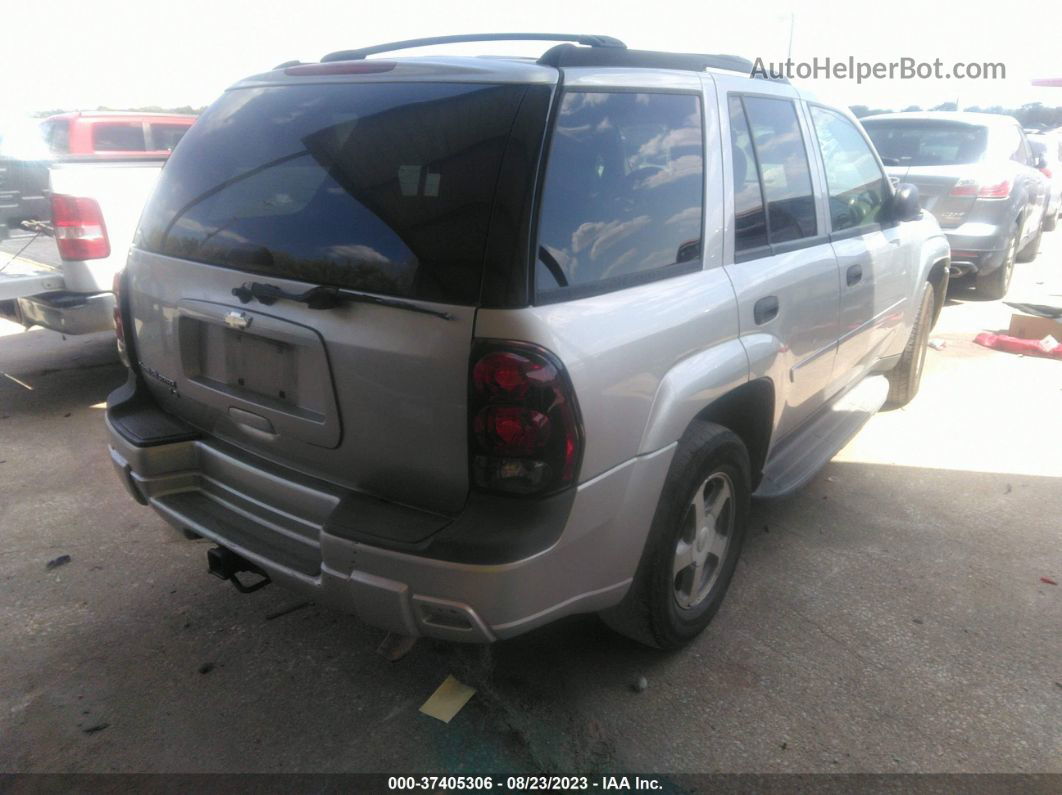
(977, 174)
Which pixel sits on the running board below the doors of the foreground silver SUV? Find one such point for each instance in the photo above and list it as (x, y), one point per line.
(800, 457)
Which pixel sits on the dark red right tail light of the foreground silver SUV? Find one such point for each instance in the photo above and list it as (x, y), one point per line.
(525, 435)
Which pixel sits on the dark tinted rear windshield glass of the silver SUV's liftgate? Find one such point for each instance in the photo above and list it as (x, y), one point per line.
(380, 187)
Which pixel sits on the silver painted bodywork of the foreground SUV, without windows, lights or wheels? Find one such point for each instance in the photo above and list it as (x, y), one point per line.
(645, 362)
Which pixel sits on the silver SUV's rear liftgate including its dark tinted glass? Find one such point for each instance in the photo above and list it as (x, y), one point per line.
(382, 191)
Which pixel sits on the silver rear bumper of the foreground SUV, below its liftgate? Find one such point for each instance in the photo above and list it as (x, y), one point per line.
(201, 486)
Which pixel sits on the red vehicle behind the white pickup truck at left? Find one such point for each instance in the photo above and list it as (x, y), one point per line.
(115, 134)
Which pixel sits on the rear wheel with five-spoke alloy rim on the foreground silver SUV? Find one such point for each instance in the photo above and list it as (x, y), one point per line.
(671, 604)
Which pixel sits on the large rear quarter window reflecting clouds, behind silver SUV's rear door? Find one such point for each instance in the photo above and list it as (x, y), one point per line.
(624, 189)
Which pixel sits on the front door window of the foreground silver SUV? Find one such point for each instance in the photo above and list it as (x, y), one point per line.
(858, 188)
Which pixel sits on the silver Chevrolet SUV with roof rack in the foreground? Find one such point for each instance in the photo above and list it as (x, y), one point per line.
(465, 345)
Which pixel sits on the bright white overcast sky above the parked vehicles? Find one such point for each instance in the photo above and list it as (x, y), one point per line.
(122, 55)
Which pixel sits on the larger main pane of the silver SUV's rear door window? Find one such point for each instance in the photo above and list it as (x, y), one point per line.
(783, 168)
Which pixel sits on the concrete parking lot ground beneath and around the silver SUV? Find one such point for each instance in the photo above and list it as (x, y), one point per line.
(890, 618)
